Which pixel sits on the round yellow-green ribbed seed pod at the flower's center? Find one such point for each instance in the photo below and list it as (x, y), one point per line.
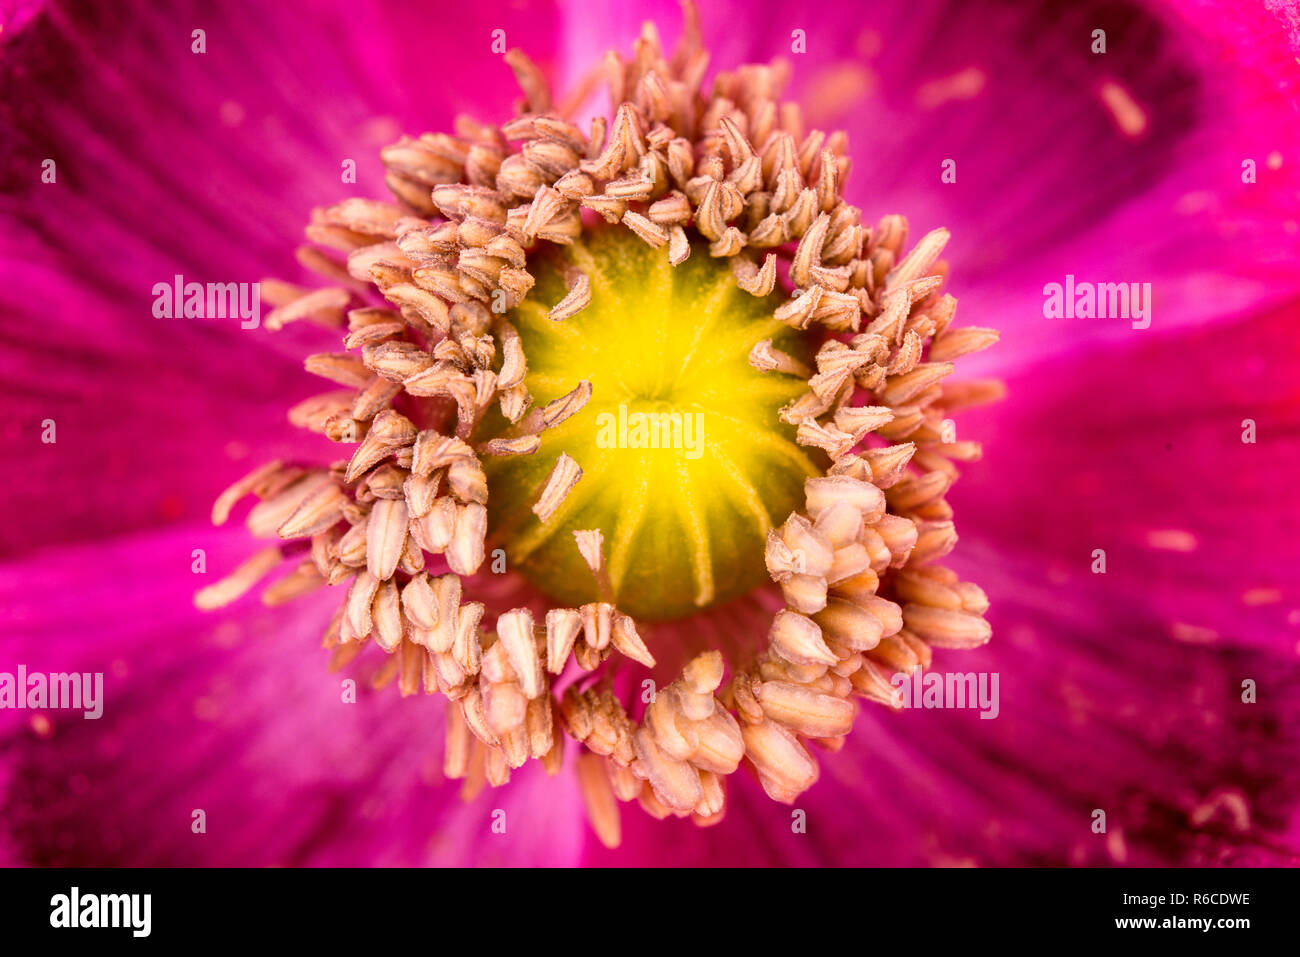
(686, 464)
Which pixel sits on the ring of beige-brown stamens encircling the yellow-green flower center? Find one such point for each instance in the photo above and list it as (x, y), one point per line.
(856, 564)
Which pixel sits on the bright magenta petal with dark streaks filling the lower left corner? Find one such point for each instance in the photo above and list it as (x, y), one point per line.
(236, 716)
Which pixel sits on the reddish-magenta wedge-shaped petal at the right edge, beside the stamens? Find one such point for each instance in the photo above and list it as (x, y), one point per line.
(1147, 453)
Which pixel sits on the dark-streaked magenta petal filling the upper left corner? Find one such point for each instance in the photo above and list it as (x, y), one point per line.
(205, 166)
